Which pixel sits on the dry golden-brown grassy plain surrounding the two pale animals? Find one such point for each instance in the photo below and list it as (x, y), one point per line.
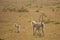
(24, 16)
